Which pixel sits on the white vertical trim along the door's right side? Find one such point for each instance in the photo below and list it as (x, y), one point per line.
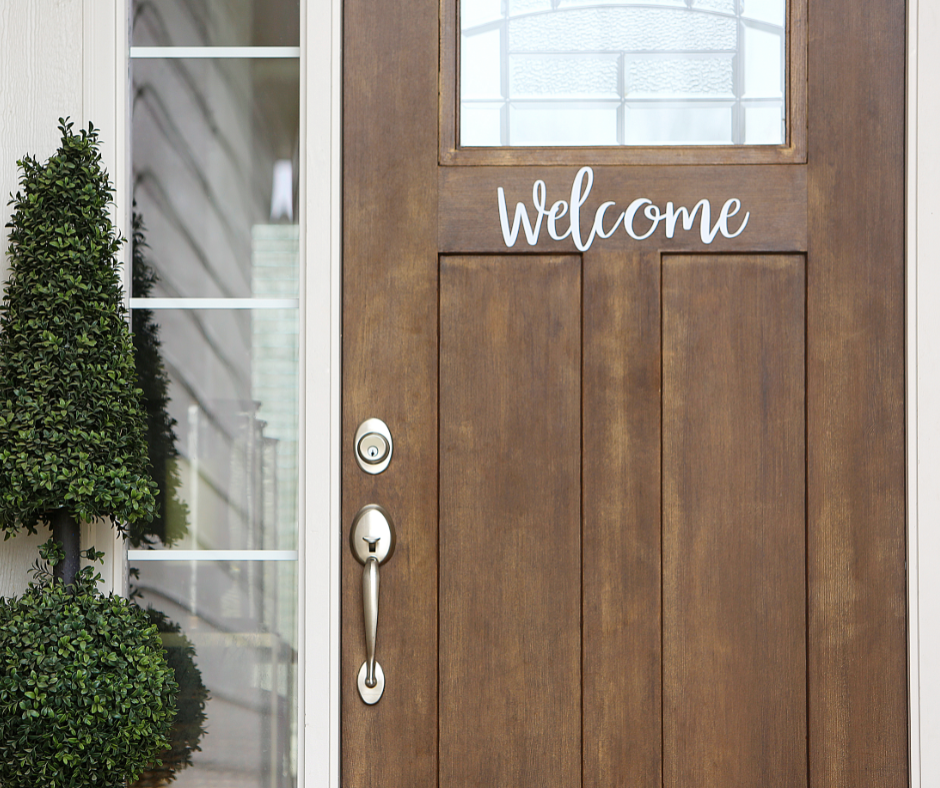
(923, 389)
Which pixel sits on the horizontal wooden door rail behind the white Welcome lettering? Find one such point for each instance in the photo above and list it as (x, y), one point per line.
(774, 196)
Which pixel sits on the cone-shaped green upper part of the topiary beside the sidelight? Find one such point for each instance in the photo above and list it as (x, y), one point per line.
(71, 425)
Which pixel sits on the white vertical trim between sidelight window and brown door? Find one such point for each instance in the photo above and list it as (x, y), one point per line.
(321, 241)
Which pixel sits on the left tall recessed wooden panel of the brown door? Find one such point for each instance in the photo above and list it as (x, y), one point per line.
(510, 537)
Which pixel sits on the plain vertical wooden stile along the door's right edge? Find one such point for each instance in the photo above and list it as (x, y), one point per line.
(855, 381)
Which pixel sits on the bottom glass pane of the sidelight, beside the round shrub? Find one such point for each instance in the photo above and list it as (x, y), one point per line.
(240, 616)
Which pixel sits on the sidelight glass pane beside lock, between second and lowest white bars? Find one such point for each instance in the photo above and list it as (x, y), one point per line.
(233, 393)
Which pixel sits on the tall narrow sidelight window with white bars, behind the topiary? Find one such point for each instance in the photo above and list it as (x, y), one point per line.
(215, 296)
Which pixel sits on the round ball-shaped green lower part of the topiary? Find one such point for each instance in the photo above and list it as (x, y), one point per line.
(86, 696)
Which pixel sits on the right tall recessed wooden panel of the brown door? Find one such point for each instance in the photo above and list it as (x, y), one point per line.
(734, 598)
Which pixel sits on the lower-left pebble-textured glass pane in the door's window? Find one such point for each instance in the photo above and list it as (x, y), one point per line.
(556, 76)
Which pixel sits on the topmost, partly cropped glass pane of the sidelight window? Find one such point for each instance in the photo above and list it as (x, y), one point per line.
(215, 23)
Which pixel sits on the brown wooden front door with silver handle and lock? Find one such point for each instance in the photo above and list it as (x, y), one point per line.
(649, 492)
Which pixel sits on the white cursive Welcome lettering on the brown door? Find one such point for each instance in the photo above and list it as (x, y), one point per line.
(640, 211)
